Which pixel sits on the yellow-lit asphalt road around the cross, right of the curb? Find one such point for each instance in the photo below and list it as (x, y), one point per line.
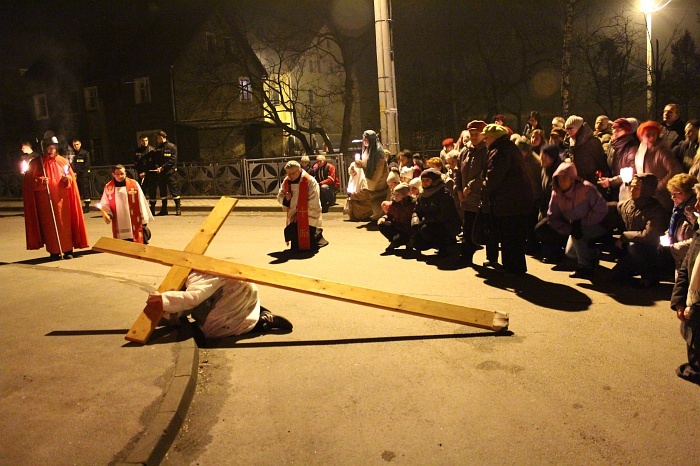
(585, 375)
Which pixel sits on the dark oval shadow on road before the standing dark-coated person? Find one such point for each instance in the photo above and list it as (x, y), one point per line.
(537, 291)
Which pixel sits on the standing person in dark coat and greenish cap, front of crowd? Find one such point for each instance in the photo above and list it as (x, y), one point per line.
(509, 192)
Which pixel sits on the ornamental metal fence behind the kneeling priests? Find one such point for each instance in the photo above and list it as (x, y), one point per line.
(243, 178)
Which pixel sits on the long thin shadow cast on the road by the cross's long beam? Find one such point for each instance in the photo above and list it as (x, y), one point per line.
(232, 342)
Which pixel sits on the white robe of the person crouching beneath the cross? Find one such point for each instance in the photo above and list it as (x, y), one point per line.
(232, 311)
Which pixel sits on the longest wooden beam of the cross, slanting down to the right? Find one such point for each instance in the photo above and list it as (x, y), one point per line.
(491, 320)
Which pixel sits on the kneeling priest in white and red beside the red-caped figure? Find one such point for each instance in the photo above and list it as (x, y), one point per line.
(124, 205)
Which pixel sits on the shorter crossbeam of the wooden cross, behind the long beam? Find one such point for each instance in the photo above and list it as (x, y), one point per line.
(176, 277)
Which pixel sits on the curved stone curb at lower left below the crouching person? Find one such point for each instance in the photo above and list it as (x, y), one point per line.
(159, 434)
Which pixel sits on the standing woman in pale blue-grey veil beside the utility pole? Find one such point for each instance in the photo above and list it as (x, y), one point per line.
(376, 171)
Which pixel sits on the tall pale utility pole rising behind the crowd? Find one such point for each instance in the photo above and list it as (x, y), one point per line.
(389, 132)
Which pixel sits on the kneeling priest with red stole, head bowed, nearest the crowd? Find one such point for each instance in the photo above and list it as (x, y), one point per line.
(300, 195)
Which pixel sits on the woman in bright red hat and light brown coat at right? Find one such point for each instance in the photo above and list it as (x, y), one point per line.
(653, 156)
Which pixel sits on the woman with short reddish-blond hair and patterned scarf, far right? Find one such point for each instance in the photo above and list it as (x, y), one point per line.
(680, 231)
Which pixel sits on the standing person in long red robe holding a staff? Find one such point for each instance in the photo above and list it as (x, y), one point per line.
(53, 213)
